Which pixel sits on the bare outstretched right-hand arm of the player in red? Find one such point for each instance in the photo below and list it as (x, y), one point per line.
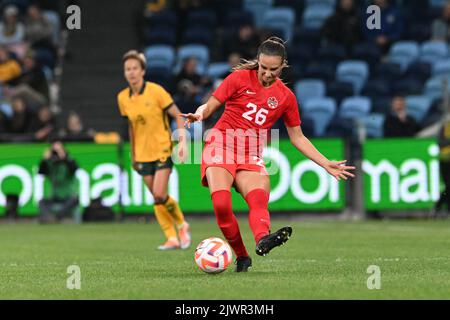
(337, 169)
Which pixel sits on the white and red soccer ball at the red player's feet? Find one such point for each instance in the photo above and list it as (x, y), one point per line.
(213, 255)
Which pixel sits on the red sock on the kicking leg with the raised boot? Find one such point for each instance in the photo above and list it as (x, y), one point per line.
(258, 217)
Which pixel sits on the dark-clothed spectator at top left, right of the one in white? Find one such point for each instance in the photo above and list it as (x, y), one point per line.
(37, 28)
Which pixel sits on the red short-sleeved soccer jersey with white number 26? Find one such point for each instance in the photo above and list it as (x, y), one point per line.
(249, 105)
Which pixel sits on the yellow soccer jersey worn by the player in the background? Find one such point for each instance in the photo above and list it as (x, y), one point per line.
(147, 114)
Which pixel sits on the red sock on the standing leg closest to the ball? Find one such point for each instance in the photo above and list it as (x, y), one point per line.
(227, 221)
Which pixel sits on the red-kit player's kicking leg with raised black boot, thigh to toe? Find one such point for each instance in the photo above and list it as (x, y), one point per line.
(255, 188)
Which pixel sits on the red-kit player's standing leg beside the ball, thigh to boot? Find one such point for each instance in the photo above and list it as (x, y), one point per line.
(220, 182)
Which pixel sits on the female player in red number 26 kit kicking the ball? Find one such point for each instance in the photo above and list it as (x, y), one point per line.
(255, 98)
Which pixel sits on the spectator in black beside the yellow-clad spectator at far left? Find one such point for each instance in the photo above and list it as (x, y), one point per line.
(34, 76)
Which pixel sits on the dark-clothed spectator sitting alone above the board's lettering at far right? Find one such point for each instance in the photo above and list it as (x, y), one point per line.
(399, 123)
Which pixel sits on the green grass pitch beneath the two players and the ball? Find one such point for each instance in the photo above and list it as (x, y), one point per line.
(322, 260)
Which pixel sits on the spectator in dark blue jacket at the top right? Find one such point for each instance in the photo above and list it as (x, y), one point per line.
(391, 26)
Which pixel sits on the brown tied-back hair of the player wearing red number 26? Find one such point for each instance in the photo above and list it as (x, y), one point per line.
(273, 46)
